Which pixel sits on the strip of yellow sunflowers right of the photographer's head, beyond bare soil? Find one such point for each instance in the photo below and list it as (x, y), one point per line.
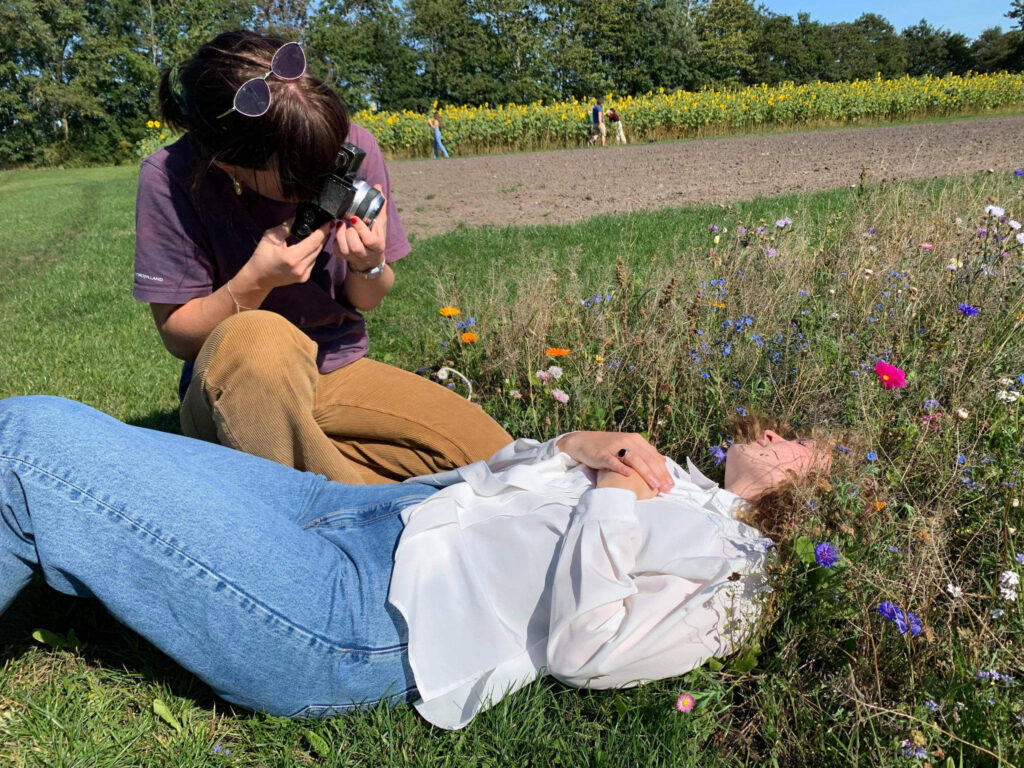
(664, 115)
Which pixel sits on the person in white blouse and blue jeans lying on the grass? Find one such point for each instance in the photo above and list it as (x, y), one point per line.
(590, 557)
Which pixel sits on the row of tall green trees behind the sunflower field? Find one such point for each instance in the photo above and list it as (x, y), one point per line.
(78, 77)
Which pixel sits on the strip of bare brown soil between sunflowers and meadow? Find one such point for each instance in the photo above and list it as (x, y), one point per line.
(574, 185)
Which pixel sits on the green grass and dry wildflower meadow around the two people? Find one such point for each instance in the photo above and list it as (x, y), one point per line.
(833, 685)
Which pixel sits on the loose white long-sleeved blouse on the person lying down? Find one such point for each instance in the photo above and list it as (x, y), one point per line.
(521, 565)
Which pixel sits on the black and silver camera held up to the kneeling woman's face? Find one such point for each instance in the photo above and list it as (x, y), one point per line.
(344, 196)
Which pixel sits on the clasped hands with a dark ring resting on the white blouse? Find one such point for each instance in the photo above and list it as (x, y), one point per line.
(642, 471)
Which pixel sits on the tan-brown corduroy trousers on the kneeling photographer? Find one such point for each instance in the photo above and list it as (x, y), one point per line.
(257, 389)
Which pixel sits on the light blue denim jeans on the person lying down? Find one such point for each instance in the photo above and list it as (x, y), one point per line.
(268, 583)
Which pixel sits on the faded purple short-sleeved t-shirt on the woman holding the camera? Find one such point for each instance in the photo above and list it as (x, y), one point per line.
(191, 240)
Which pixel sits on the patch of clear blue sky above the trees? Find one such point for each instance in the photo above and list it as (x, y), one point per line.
(957, 16)
